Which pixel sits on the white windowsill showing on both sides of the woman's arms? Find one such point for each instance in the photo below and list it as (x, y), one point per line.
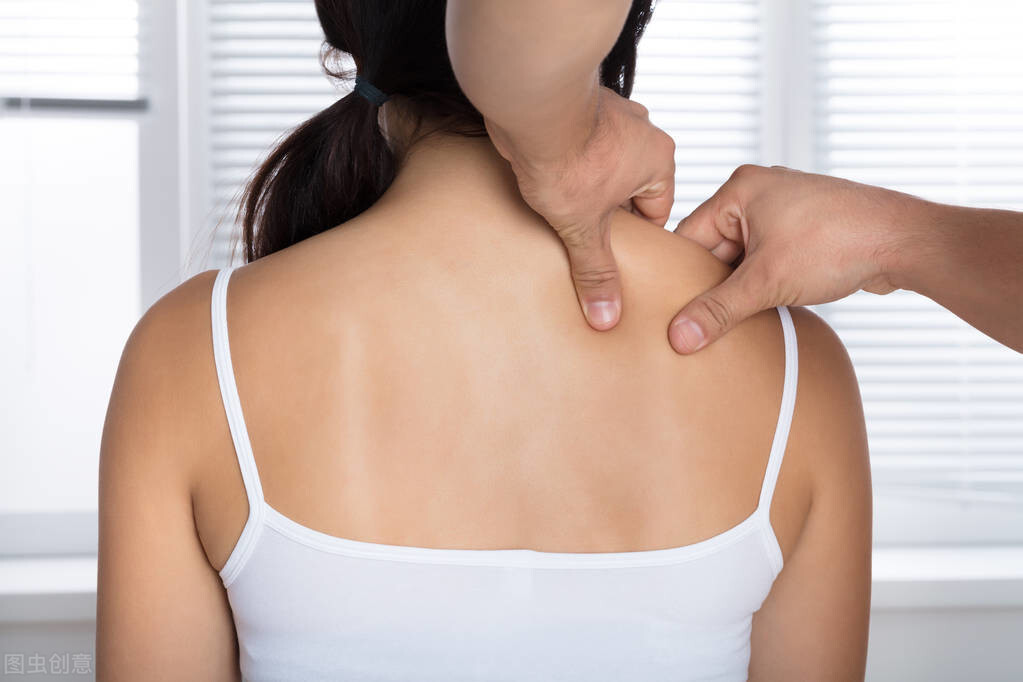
(64, 588)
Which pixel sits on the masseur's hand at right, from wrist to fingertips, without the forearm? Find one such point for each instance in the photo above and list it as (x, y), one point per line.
(799, 240)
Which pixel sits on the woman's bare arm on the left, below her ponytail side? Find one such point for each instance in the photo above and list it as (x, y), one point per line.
(162, 611)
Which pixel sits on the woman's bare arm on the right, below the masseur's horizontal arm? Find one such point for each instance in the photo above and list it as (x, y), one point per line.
(814, 625)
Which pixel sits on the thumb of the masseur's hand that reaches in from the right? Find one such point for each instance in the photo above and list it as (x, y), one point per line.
(710, 315)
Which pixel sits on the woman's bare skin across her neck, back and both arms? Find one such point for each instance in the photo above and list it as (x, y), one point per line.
(420, 377)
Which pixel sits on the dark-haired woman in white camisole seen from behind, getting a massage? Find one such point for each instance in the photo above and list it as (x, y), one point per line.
(365, 457)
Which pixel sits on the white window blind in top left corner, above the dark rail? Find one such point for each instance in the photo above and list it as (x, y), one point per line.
(69, 49)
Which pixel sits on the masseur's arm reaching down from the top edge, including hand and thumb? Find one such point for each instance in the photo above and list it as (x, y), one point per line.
(579, 150)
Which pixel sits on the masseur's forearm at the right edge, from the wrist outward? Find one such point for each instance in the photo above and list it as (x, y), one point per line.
(968, 260)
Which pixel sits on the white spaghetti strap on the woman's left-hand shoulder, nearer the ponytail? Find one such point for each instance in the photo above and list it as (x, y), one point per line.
(237, 423)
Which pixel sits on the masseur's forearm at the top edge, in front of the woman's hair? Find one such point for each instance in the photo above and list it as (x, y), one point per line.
(531, 67)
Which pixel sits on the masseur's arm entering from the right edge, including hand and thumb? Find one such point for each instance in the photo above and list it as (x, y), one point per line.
(812, 239)
